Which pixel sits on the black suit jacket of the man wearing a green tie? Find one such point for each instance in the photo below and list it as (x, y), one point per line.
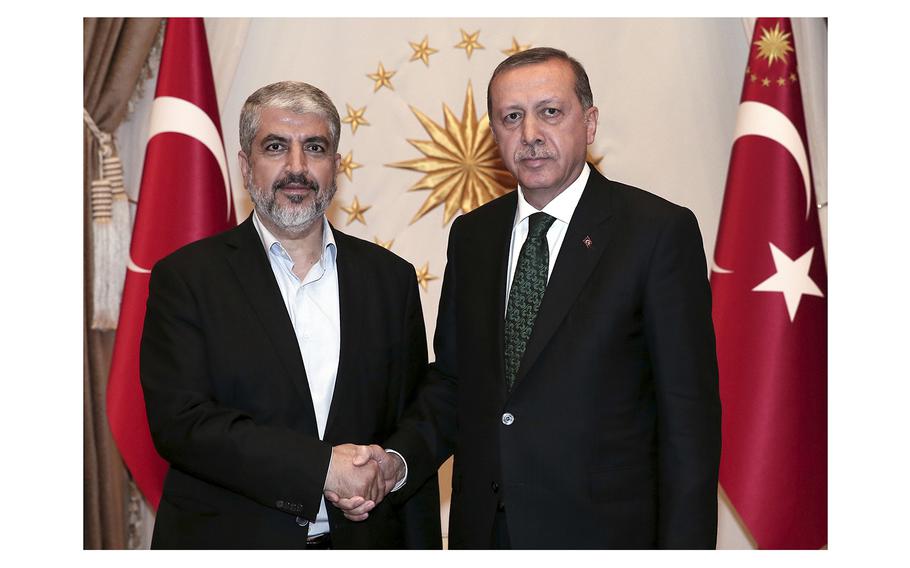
(614, 440)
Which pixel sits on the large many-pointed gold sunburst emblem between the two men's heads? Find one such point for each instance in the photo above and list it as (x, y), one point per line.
(461, 163)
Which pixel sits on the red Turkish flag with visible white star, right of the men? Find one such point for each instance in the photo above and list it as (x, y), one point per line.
(770, 284)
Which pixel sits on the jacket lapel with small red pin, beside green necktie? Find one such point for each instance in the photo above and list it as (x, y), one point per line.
(587, 237)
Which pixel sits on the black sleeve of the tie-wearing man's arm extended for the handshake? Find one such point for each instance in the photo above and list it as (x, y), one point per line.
(426, 433)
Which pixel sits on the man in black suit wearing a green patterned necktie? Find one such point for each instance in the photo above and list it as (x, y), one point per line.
(575, 376)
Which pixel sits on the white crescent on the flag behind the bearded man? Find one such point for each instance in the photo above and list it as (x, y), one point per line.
(170, 114)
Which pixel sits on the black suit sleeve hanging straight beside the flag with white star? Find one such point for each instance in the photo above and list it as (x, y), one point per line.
(680, 338)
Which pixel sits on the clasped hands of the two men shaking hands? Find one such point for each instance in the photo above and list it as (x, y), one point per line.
(360, 477)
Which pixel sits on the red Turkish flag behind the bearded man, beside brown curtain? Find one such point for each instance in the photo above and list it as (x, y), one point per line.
(184, 196)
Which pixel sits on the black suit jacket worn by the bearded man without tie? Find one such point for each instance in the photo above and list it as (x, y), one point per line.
(229, 403)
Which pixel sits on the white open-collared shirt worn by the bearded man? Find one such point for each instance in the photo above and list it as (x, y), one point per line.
(313, 307)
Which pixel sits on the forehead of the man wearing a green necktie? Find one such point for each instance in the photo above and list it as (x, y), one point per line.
(528, 84)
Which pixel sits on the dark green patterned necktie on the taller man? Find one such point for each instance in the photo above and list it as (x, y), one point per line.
(528, 286)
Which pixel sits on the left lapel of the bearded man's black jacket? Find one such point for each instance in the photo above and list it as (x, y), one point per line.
(253, 271)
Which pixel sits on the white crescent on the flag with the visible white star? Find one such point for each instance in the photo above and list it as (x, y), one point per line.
(764, 120)
